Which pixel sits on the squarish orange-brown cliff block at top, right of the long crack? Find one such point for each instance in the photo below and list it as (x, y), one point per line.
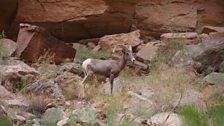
(157, 17)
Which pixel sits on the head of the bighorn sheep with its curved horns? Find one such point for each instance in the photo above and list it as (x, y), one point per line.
(127, 51)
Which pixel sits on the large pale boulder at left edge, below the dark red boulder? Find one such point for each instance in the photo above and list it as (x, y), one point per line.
(15, 74)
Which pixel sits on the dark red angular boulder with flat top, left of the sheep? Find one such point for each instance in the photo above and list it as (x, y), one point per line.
(34, 41)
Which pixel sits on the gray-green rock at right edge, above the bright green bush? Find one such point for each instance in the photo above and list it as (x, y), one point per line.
(214, 78)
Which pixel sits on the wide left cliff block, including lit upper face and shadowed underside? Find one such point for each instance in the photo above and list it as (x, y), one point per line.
(72, 20)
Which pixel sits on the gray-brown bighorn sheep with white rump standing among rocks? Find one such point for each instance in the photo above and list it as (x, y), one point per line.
(108, 68)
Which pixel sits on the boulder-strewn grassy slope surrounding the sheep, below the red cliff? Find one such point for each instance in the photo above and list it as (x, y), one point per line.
(177, 71)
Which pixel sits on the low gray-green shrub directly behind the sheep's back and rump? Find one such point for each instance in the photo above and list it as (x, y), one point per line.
(85, 52)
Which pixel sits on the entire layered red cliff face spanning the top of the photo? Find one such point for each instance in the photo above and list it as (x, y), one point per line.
(72, 20)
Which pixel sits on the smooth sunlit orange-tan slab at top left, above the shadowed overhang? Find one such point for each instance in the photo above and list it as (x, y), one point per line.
(51, 11)
